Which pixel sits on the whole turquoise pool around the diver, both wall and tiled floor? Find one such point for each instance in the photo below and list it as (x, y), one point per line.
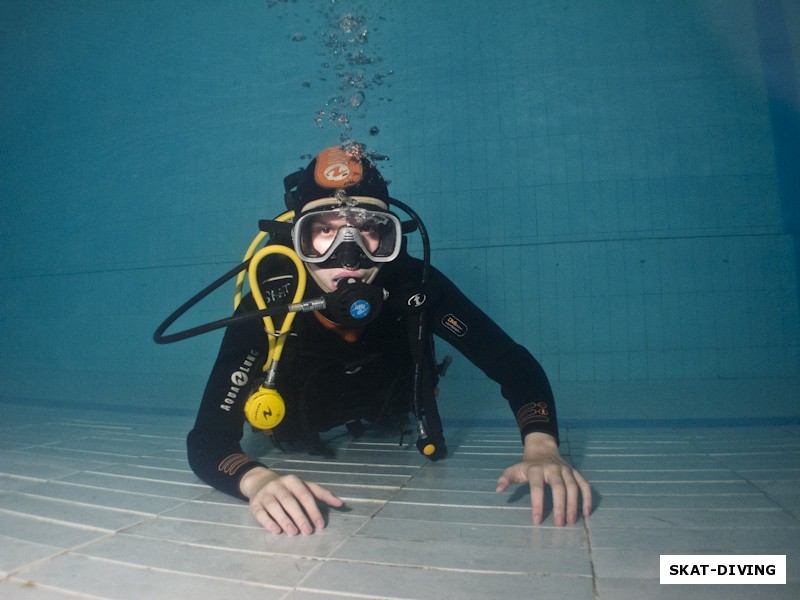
(614, 182)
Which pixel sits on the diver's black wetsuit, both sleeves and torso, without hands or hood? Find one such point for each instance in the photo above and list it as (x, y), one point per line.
(329, 377)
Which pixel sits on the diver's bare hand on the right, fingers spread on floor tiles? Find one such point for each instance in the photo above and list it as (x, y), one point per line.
(542, 464)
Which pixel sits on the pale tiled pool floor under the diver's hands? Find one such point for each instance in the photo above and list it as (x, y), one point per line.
(102, 505)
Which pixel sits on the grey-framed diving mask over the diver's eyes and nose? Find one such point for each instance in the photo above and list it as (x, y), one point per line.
(360, 230)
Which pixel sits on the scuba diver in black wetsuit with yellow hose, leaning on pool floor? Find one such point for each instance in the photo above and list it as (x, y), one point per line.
(337, 330)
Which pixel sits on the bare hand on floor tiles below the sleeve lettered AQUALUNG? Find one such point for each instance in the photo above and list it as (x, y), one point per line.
(285, 503)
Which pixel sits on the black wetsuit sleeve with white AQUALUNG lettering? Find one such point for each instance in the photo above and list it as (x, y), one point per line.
(214, 445)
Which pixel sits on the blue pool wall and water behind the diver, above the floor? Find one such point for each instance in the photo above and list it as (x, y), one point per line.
(612, 182)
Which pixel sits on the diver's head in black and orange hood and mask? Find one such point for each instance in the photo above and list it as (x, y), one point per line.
(343, 228)
